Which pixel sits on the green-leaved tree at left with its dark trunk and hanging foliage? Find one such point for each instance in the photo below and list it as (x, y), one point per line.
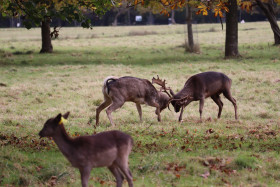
(41, 12)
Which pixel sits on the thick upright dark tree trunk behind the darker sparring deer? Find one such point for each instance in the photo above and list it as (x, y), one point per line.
(231, 47)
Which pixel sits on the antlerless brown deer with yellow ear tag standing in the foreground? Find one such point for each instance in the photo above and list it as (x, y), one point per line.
(110, 149)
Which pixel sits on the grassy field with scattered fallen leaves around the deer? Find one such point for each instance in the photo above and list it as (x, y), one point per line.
(215, 152)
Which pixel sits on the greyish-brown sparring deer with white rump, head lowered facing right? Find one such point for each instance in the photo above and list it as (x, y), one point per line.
(117, 91)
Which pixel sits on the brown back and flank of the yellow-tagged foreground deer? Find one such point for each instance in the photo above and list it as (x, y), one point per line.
(101, 149)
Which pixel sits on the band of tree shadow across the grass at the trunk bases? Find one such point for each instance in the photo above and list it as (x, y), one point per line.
(133, 56)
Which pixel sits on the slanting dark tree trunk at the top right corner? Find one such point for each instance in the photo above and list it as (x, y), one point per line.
(270, 13)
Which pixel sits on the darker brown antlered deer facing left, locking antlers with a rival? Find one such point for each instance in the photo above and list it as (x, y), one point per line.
(199, 87)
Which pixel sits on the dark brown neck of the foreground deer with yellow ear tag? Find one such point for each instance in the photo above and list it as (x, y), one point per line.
(63, 141)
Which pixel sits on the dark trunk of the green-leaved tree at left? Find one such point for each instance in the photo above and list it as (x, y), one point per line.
(46, 37)
